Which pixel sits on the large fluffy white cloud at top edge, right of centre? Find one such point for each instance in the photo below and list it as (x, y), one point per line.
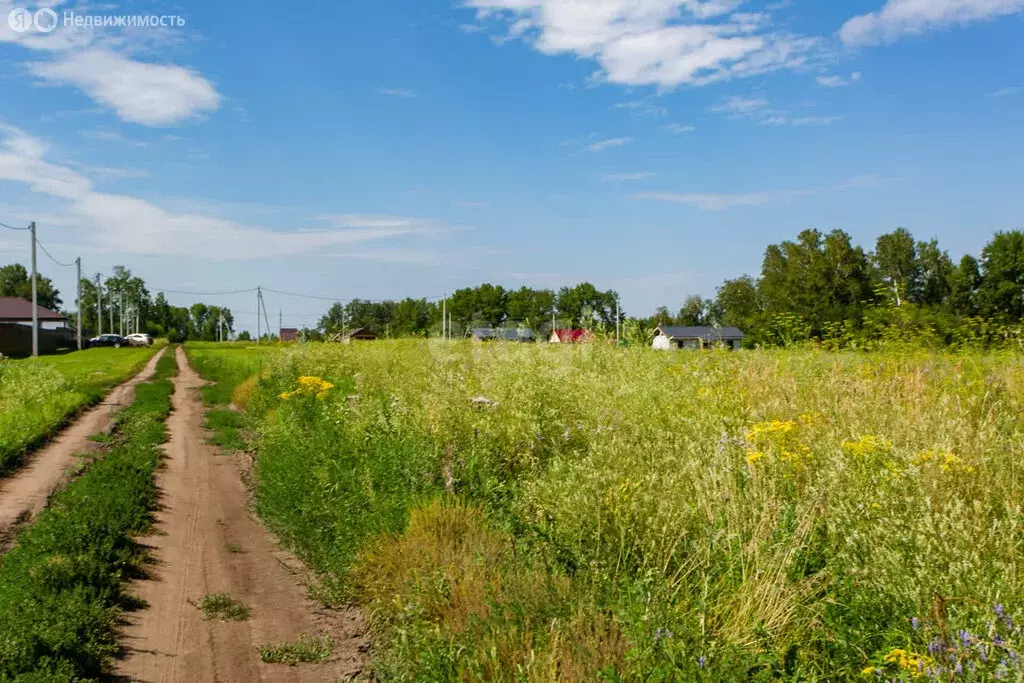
(665, 44)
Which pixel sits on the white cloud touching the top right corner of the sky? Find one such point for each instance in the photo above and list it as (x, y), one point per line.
(902, 18)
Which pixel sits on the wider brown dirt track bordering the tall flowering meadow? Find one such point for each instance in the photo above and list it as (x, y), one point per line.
(207, 542)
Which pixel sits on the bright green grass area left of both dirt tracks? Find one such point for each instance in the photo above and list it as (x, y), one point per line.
(38, 396)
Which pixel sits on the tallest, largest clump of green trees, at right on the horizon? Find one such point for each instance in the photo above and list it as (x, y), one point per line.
(823, 287)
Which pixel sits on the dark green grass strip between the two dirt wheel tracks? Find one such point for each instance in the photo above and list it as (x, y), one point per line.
(61, 585)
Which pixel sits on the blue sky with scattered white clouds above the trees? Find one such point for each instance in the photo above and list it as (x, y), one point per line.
(402, 148)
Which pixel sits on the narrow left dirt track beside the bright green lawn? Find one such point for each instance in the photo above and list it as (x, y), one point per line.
(25, 493)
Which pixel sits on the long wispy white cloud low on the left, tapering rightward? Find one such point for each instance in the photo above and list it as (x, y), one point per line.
(120, 224)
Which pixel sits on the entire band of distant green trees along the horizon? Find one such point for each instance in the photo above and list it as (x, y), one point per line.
(818, 287)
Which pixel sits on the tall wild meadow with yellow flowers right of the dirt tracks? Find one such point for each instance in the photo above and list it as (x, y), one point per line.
(539, 513)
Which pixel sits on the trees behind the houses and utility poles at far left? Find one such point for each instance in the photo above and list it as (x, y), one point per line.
(127, 306)
